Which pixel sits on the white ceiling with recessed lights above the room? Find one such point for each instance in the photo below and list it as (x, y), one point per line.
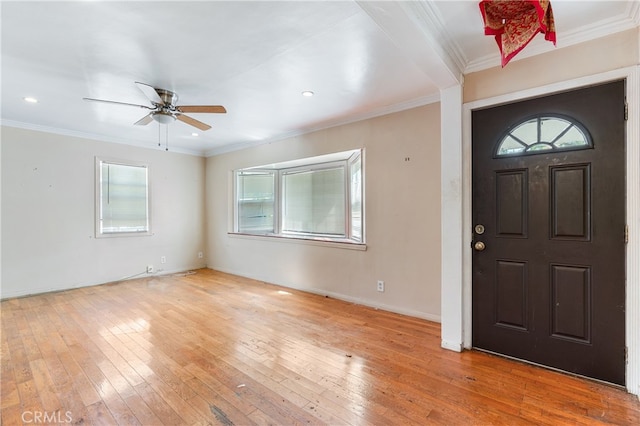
(361, 59)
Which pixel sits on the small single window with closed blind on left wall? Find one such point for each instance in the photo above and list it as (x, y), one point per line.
(122, 198)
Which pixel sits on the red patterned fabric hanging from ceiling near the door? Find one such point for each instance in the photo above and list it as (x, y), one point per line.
(514, 23)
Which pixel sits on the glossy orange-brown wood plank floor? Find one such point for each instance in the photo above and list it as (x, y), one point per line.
(213, 348)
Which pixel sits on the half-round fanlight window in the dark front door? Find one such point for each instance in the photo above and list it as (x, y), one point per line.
(544, 133)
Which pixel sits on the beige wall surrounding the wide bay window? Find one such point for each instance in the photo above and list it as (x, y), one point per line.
(402, 210)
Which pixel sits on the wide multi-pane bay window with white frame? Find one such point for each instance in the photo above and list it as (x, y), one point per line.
(313, 198)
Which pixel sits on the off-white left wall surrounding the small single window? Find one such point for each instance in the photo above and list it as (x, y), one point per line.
(48, 239)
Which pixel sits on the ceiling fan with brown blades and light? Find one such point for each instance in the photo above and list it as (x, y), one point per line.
(165, 110)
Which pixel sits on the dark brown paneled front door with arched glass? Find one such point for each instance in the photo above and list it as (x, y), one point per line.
(549, 219)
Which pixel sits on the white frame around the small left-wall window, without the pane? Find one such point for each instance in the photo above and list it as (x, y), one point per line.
(99, 161)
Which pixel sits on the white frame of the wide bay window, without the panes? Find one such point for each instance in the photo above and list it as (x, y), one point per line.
(344, 160)
